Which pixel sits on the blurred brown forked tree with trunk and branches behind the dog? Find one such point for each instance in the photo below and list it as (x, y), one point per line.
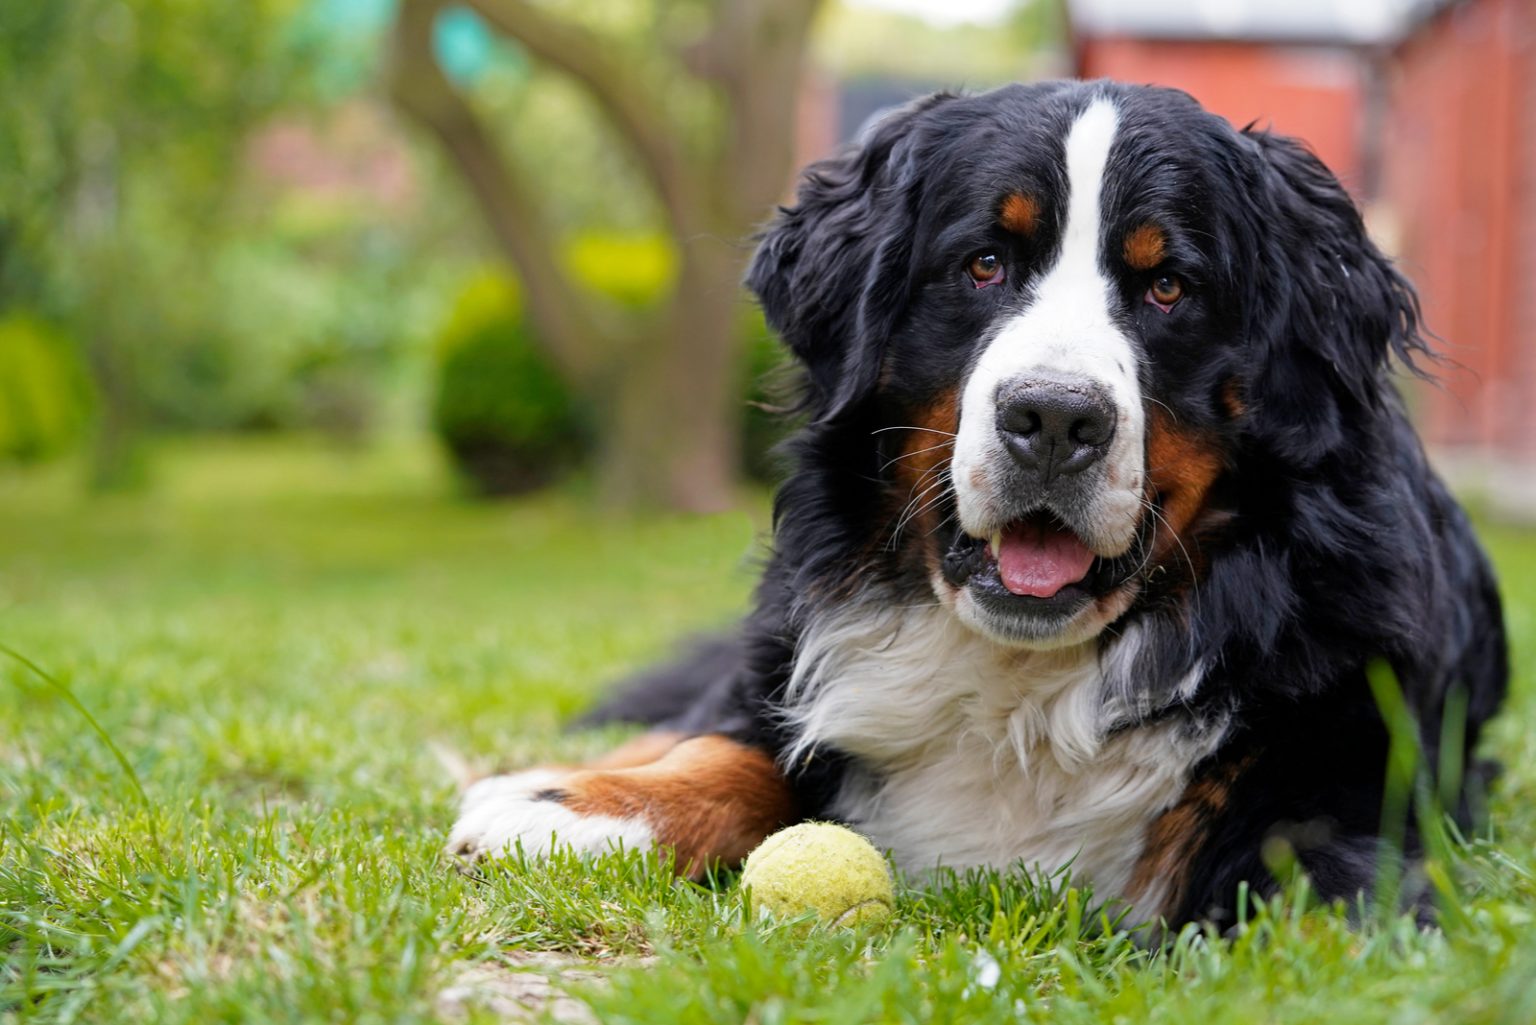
(669, 385)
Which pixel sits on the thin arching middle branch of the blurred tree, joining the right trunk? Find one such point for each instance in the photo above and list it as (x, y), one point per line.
(626, 99)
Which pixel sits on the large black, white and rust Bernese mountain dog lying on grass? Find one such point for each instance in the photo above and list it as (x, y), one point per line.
(1102, 516)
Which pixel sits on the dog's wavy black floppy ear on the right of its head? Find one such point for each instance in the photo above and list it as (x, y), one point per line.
(1325, 304)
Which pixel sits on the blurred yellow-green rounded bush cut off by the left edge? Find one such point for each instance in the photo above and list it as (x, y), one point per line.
(45, 393)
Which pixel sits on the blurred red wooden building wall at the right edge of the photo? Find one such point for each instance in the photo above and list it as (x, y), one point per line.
(1460, 171)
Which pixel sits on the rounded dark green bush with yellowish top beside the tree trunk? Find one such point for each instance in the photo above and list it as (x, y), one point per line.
(502, 408)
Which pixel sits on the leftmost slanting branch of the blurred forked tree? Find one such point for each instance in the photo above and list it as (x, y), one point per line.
(563, 314)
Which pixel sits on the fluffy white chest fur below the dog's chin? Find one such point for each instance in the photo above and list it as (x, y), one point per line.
(979, 755)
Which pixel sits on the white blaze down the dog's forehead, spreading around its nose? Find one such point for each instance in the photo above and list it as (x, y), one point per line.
(1067, 330)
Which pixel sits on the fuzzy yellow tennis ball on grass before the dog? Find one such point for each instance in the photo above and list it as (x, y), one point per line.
(821, 867)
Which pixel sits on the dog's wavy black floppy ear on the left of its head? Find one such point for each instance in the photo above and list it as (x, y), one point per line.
(832, 271)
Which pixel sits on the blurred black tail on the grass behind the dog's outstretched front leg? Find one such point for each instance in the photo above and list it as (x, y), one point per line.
(677, 695)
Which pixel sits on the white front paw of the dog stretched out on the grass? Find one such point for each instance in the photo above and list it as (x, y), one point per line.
(531, 811)
